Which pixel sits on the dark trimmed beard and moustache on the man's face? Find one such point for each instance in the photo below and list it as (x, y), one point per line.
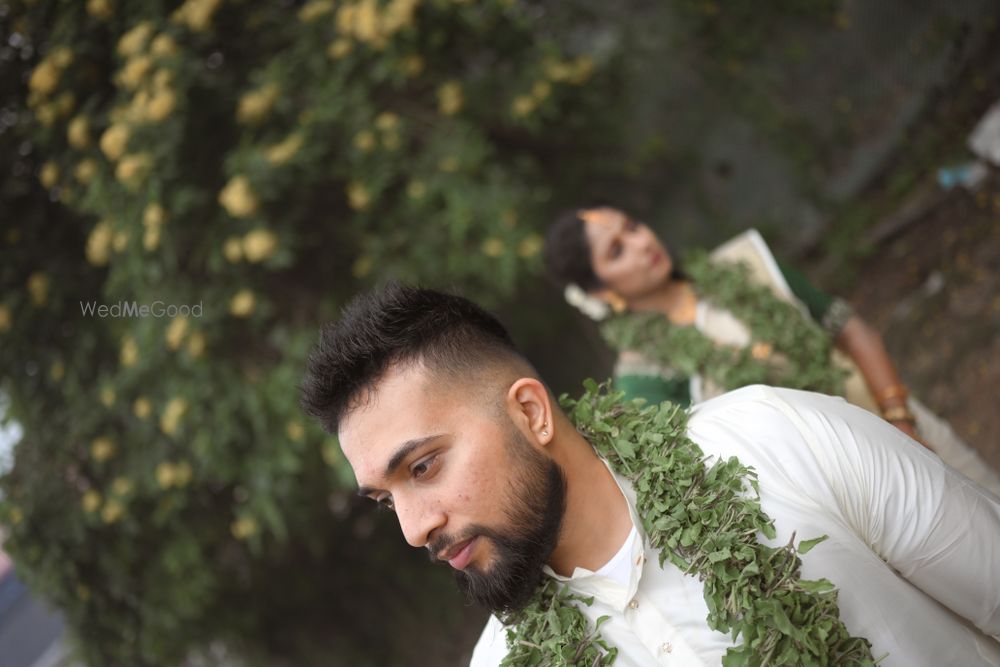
(534, 511)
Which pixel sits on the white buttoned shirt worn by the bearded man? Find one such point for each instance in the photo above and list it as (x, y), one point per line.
(914, 547)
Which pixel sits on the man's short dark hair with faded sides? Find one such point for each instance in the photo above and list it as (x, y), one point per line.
(395, 325)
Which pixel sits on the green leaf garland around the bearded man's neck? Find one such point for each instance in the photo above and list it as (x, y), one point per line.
(705, 521)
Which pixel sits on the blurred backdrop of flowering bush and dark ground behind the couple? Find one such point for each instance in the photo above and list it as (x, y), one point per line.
(243, 168)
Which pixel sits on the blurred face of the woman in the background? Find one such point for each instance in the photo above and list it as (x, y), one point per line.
(625, 254)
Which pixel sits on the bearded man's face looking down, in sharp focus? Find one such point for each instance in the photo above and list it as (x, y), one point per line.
(464, 482)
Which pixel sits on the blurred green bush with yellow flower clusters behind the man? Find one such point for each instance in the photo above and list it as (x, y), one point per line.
(241, 169)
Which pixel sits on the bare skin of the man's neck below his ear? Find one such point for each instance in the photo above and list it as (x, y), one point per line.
(597, 520)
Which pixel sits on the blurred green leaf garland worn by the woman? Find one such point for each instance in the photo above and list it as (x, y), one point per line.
(801, 357)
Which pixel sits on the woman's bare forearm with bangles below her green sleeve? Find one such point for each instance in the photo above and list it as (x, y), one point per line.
(865, 347)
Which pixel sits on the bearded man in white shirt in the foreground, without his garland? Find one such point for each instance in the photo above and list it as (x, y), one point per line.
(445, 422)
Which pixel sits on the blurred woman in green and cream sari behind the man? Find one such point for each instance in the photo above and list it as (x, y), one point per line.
(732, 319)
